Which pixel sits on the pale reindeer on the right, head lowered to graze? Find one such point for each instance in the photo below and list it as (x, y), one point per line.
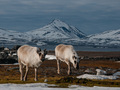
(67, 54)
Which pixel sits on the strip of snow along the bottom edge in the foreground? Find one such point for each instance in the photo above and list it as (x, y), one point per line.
(44, 86)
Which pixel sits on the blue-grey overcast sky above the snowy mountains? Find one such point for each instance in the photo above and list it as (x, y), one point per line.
(89, 16)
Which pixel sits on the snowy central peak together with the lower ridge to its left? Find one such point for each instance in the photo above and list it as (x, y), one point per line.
(53, 33)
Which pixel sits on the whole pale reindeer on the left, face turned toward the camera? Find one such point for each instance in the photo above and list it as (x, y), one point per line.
(30, 57)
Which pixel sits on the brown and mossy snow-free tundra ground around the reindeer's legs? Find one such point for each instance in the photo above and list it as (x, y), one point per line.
(48, 70)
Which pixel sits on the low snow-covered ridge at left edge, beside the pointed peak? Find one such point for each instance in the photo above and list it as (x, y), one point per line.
(12, 37)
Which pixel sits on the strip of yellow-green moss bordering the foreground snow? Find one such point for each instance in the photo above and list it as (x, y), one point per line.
(66, 81)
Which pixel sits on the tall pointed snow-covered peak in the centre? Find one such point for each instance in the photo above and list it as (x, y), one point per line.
(56, 30)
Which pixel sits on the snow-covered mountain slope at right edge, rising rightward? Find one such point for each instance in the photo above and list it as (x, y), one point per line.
(107, 38)
